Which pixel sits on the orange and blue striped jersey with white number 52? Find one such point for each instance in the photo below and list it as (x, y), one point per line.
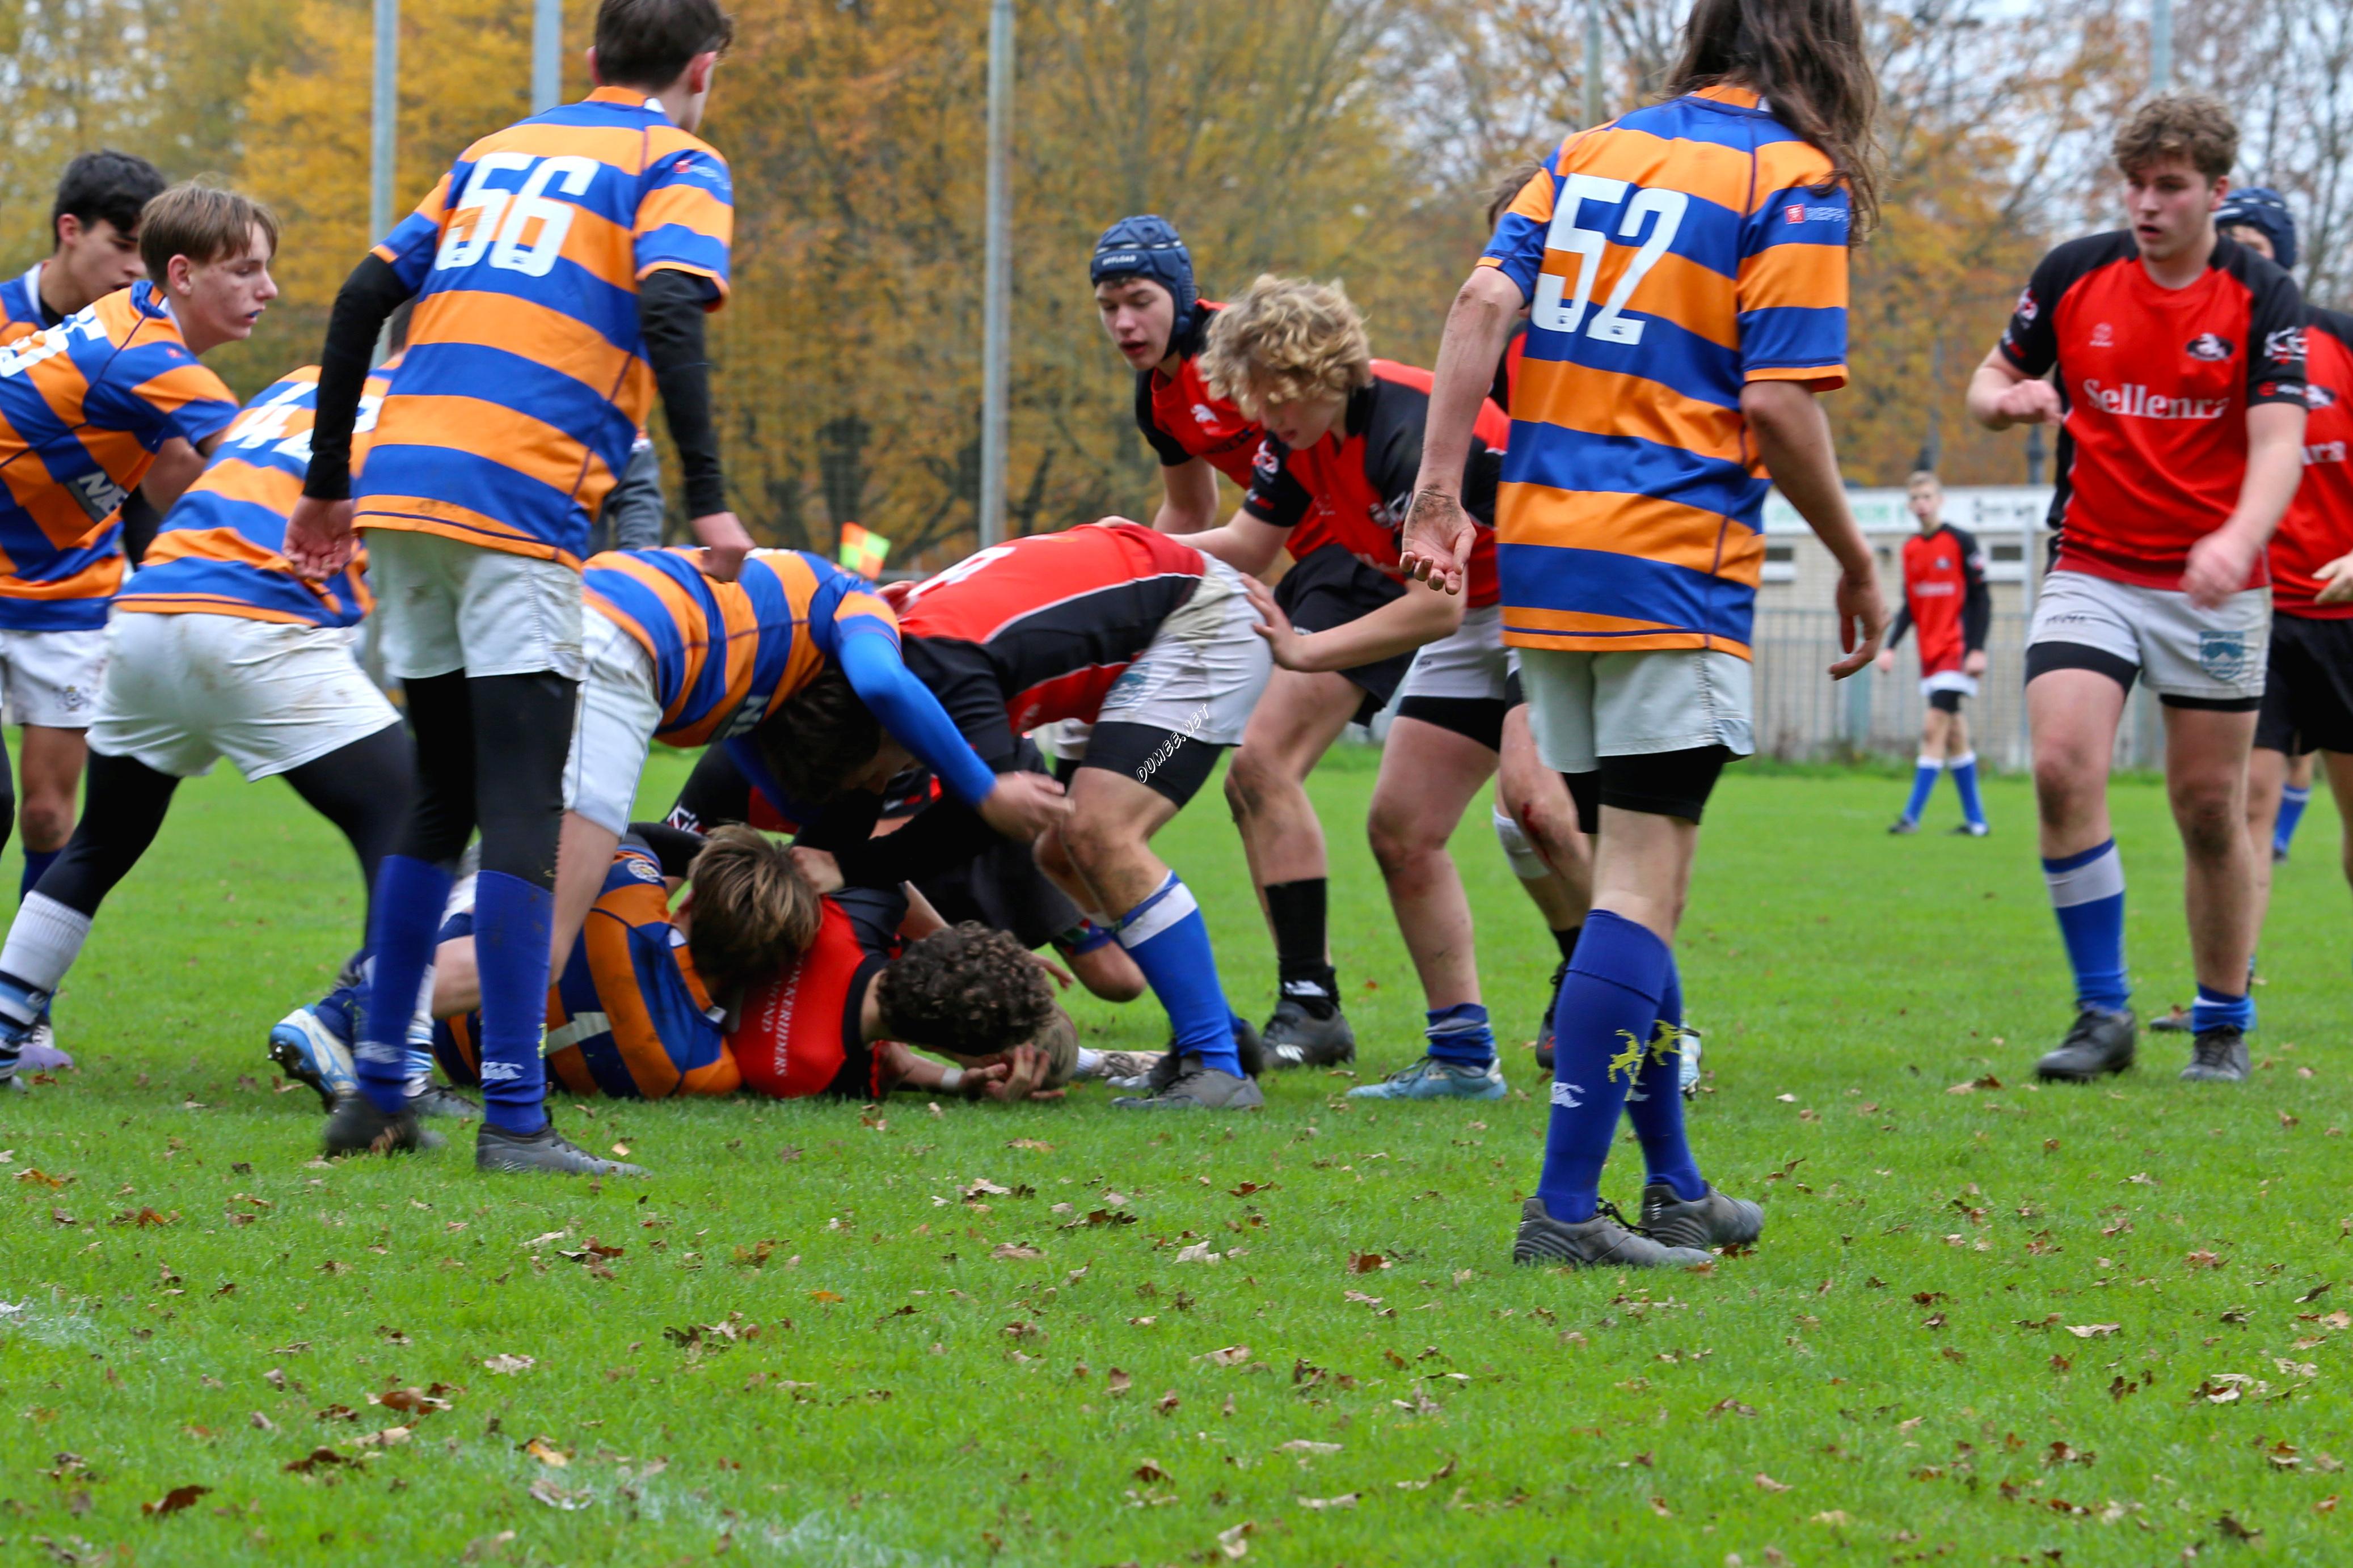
(1669, 257)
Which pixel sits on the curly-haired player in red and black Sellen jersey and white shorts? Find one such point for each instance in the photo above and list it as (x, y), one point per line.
(2178, 363)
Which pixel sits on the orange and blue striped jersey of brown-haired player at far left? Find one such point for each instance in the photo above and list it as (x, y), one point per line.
(84, 410)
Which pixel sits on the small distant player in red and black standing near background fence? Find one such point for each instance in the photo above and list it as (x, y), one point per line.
(1945, 596)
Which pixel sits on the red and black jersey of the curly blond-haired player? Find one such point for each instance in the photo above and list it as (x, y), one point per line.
(1357, 485)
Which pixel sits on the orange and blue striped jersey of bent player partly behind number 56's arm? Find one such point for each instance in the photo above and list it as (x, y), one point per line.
(222, 547)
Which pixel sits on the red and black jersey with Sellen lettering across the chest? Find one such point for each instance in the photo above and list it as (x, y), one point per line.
(2157, 389)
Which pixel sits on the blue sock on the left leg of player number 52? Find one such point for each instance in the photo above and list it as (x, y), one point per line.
(1601, 1033)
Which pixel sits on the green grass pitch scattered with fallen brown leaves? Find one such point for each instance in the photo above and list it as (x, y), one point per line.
(808, 1348)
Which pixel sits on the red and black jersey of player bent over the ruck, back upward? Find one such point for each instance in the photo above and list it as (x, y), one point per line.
(1041, 629)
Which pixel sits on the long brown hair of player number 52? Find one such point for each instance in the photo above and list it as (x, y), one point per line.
(1806, 60)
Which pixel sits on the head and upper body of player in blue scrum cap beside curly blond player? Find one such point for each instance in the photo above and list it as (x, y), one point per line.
(1159, 321)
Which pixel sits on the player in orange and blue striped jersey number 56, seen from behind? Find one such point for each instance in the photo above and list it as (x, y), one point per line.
(561, 276)
